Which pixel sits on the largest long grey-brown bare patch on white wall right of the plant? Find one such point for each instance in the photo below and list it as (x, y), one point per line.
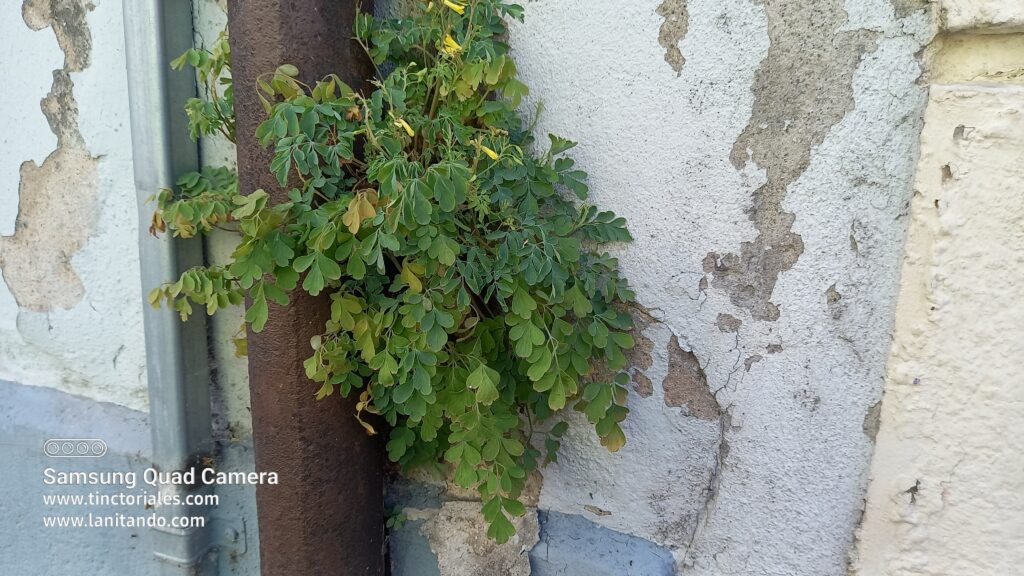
(790, 118)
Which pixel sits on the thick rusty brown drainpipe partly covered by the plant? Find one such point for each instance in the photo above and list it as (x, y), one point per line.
(326, 517)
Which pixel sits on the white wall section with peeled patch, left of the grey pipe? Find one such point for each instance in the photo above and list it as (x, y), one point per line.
(70, 297)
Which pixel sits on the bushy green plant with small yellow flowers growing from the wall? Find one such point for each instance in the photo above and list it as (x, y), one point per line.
(470, 300)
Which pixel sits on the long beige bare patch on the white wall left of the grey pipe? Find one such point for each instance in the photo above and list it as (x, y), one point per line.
(36, 261)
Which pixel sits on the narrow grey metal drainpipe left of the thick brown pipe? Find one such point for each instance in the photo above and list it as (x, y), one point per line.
(157, 31)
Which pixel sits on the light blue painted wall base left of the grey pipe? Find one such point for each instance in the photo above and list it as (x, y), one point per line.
(29, 417)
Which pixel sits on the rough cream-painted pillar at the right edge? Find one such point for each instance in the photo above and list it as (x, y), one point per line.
(947, 489)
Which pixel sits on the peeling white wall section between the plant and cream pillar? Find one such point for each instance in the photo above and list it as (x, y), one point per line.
(763, 153)
